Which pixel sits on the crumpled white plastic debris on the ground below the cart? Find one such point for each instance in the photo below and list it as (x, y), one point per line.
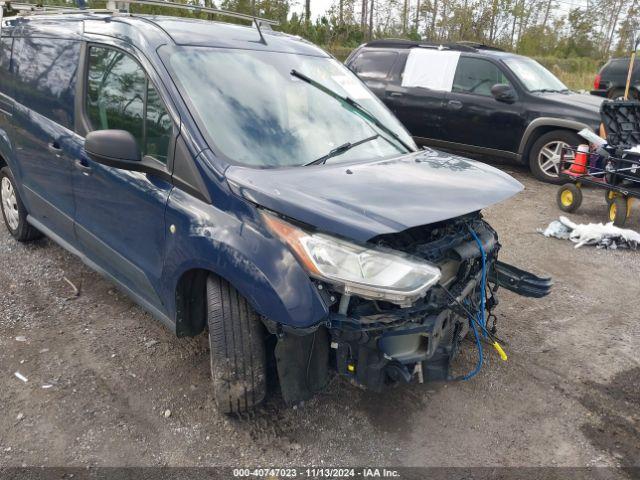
(598, 234)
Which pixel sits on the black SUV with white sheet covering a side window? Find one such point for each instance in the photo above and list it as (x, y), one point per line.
(477, 99)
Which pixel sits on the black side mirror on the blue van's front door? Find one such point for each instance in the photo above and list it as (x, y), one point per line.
(114, 148)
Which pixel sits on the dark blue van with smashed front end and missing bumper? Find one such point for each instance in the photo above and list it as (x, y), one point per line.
(242, 181)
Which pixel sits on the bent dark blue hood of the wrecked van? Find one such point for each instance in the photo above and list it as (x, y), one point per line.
(365, 199)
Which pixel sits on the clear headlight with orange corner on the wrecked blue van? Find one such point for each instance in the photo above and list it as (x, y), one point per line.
(373, 273)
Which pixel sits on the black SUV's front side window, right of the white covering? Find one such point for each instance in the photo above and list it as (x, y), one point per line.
(477, 76)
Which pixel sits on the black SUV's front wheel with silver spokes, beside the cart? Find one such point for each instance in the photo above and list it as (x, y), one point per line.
(544, 156)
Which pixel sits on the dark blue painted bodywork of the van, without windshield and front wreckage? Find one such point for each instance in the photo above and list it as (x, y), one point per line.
(119, 222)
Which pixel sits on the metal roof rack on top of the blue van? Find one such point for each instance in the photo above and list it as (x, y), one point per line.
(33, 9)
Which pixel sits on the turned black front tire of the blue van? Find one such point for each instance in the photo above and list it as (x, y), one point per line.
(238, 353)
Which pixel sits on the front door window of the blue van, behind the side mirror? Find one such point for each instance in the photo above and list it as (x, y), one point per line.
(120, 96)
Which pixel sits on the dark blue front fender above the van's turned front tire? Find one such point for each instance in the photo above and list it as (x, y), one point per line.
(258, 265)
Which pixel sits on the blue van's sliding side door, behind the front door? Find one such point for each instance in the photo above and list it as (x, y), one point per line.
(45, 74)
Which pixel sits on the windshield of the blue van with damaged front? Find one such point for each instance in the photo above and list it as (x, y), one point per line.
(255, 112)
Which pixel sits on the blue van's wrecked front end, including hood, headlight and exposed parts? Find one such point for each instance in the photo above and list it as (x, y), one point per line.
(405, 279)
